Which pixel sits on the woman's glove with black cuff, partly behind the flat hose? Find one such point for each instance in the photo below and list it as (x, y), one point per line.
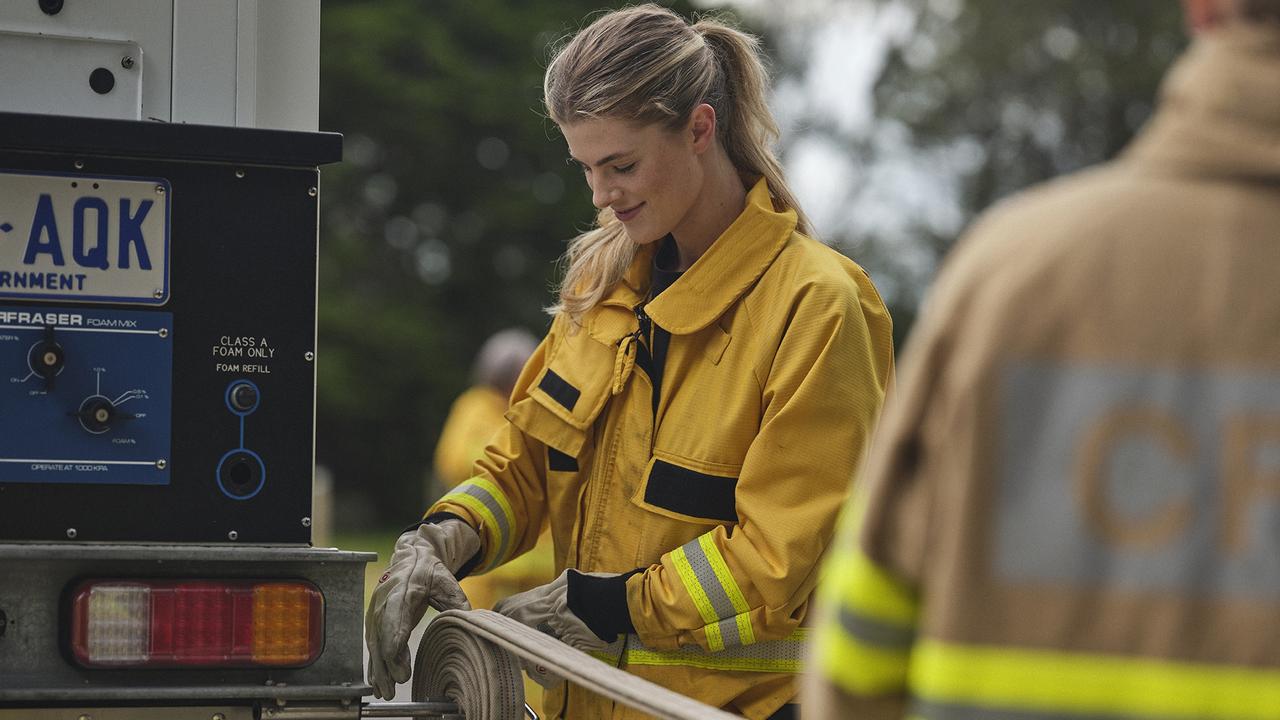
(583, 610)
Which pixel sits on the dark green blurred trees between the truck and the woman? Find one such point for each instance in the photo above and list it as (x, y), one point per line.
(442, 225)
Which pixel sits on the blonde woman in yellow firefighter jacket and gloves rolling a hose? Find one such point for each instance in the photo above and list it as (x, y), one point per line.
(689, 426)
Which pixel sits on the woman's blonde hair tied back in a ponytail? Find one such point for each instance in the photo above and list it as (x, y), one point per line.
(648, 65)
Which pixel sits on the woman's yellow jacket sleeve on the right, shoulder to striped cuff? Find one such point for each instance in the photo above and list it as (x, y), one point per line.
(822, 390)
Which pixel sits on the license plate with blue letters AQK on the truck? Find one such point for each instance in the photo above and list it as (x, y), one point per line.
(85, 239)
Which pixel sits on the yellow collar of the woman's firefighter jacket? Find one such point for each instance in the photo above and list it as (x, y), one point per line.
(728, 270)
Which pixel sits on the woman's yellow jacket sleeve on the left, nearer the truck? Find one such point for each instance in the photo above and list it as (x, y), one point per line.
(506, 496)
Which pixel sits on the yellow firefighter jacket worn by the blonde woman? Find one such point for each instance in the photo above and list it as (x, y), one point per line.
(726, 486)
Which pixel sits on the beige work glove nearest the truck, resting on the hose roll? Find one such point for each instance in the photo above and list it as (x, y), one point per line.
(422, 575)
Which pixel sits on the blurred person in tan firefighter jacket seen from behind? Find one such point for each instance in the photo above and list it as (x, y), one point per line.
(1073, 505)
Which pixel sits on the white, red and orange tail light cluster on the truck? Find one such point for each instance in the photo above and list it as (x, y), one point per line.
(196, 625)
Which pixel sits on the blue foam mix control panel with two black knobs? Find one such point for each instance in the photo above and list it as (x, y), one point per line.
(85, 397)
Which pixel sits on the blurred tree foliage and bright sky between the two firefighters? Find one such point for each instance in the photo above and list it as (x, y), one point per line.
(966, 103)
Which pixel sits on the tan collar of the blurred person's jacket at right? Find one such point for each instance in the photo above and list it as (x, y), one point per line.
(1220, 107)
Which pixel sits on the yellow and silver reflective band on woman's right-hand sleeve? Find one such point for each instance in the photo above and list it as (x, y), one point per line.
(716, 595)
